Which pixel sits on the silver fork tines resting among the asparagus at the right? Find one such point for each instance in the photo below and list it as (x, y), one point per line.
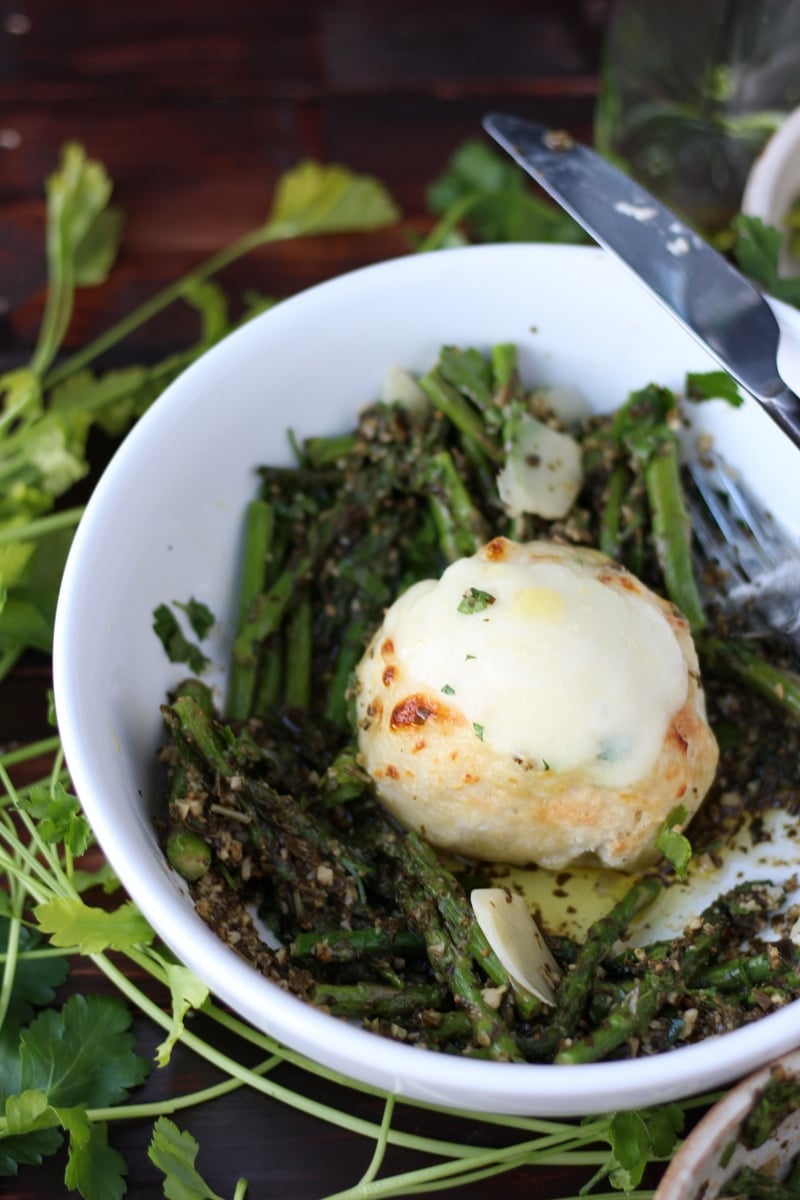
(750, 567)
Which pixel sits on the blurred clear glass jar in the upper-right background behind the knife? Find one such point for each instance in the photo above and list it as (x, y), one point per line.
(690, 93)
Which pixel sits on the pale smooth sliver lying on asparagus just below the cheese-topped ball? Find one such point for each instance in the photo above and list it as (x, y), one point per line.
(518, 941)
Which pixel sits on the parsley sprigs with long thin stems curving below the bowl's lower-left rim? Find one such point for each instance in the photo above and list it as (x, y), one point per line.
(70, 1072)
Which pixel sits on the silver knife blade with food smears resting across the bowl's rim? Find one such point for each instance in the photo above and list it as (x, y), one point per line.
(709, 297)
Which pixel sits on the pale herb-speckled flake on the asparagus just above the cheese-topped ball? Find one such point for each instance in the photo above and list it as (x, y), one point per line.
(543, 473)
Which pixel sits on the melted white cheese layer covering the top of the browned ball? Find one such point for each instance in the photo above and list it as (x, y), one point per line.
(558, 670)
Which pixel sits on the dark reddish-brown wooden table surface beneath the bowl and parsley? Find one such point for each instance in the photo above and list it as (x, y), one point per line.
(196, 109)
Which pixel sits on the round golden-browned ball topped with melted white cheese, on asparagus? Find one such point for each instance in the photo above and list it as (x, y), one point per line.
(536, 705)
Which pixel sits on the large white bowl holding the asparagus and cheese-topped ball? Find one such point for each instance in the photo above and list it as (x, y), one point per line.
(165, 523)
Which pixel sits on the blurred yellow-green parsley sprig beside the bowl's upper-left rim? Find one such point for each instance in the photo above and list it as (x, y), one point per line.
(49, 407)
